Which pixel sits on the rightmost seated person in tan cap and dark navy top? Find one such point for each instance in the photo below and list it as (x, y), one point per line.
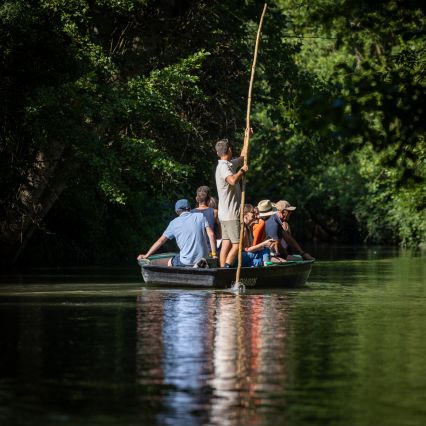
(277, 228)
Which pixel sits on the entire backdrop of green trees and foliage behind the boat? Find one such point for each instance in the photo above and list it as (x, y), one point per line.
(110, 110)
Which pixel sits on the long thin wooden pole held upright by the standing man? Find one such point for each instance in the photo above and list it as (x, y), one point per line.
(246, 147)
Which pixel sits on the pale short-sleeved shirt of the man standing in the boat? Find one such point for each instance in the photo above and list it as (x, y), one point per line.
(229, 195)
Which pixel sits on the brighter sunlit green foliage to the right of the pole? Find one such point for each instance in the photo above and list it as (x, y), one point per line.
(353, 141)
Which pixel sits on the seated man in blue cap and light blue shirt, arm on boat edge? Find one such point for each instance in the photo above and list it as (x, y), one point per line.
(189, 229)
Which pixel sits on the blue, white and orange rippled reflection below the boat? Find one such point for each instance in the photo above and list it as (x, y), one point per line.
(219, 358)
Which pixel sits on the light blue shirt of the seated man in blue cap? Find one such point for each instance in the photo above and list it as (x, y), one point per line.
(189, 230)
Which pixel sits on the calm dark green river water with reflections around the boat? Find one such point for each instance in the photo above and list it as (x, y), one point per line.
(96, 347)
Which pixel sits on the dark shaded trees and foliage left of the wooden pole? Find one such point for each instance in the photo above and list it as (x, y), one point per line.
(118, 107)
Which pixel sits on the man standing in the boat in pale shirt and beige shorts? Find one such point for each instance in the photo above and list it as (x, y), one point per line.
(229, 193)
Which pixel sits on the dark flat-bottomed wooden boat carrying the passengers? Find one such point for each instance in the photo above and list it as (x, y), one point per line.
(281, 275)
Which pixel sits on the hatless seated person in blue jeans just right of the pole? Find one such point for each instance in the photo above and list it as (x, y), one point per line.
(253, 255)
